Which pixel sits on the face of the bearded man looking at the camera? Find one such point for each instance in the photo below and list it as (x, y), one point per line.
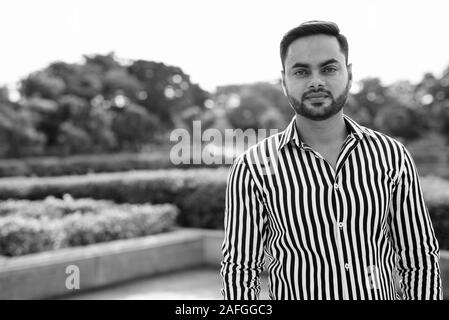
(316, 79)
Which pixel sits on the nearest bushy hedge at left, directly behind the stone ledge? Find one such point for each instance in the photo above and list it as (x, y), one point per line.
(28, 227)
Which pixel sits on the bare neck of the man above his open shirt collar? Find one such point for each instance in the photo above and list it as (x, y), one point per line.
(322, 133)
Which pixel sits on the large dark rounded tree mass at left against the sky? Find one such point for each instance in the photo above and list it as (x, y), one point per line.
(78, 108)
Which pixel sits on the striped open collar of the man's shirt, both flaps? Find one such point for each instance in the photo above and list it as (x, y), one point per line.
(290, 134)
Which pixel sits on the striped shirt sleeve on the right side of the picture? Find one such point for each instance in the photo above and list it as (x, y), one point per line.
(413, 237)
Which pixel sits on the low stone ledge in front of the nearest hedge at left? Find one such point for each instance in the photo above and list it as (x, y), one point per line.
(43, 275)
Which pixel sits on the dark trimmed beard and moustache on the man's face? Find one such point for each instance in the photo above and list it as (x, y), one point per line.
(318, 111)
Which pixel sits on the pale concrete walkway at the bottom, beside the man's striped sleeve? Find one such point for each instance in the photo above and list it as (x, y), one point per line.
(194, 284)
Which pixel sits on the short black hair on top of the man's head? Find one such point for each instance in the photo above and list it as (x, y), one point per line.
(312, 28)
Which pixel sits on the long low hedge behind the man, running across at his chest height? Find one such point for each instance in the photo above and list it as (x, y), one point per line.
(198, 193)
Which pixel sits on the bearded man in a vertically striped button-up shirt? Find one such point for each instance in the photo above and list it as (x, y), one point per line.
(337, 208)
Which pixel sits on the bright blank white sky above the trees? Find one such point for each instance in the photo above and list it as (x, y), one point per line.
(222, 42)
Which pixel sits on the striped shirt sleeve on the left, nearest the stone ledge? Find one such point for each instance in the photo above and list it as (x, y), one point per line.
(243, 245)
